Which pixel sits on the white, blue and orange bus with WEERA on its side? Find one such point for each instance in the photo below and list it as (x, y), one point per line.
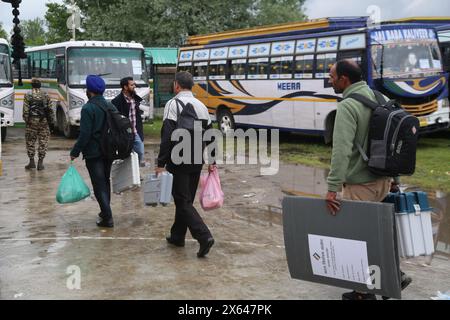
(278, 76)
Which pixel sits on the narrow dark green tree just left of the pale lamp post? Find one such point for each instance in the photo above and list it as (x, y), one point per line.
(56, 20)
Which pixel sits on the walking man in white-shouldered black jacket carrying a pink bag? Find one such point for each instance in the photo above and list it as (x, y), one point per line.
(185, 175)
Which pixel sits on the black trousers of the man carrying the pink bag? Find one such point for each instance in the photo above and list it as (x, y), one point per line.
(186, 216)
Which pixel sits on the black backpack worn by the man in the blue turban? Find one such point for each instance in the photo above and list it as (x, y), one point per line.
(117, 137)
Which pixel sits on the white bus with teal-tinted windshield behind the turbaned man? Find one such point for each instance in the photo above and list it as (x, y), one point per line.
(63, 68)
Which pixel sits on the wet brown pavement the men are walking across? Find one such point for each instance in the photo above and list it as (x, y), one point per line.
(42, 242)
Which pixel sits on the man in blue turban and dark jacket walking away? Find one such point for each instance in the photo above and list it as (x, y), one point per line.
(93, 120)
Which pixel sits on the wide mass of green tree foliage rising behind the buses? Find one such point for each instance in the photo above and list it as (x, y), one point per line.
(170, 22)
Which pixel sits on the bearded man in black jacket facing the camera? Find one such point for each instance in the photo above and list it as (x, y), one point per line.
(128, 102)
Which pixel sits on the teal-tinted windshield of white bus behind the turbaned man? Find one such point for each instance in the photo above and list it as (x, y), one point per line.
(112, 64)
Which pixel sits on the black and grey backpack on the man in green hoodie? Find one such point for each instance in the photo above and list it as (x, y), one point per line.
(393, 135)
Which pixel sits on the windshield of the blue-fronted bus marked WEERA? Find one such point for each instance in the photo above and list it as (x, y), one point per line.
(405, 59)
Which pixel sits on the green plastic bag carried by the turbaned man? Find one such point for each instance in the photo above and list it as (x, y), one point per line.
(72, 187)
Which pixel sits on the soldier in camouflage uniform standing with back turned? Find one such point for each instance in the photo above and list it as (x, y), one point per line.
(38, 117)
